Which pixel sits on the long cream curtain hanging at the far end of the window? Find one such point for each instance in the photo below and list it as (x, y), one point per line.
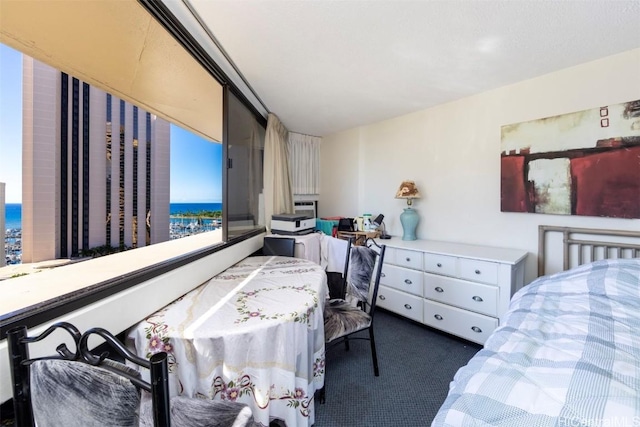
(278, 197)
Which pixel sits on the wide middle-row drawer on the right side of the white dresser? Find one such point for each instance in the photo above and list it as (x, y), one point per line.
(468, 295)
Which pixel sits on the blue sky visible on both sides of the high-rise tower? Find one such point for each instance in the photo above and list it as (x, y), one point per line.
(196, 164)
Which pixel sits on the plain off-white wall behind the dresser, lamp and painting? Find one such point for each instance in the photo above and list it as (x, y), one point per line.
(452, 151)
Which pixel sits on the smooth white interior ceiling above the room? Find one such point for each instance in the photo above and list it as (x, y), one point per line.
(328, 66)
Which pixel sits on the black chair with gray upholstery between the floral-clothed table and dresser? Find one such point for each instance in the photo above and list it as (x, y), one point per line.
(346, 317)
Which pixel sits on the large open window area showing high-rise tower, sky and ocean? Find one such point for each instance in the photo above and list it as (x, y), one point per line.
(107, 164)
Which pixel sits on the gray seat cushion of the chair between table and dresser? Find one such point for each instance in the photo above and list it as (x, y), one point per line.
(341, 318)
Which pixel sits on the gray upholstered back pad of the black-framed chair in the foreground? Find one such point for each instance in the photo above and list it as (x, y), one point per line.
(70, 394)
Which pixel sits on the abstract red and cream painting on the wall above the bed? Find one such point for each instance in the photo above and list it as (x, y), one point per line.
(582, 163)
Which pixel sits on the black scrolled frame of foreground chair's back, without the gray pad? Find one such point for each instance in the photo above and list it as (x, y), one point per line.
(18, 345)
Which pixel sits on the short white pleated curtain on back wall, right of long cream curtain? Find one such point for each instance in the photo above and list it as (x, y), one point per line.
(304, 161)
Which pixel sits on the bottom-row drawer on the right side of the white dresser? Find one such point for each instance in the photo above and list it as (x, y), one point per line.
(471, 326)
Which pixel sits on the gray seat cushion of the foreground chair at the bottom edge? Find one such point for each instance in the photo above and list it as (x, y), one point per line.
(192, 412)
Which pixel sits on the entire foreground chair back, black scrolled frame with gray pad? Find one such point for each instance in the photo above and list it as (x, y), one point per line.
(64, 389)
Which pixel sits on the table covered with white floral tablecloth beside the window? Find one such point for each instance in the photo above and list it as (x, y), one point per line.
(254, 334)
